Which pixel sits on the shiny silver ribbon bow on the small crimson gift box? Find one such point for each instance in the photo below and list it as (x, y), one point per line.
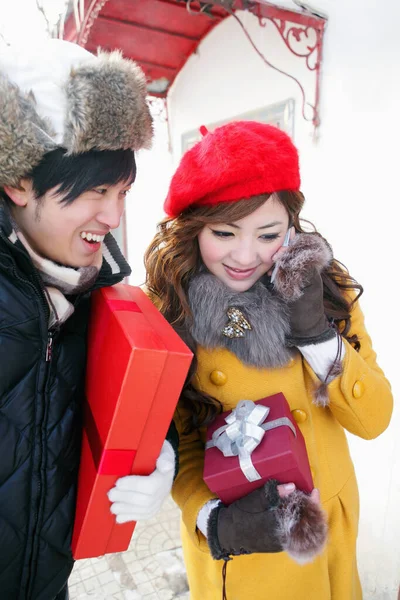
(243, 432)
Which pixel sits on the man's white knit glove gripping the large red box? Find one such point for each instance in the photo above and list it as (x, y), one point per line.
(139, 497)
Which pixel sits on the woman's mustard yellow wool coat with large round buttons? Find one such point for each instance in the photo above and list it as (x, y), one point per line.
(360, 402)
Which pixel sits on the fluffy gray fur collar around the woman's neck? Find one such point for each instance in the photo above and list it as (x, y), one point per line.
(264, 345)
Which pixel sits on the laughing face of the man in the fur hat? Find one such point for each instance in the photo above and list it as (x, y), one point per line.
(70, 234)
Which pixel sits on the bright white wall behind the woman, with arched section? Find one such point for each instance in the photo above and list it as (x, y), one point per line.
(349, 179)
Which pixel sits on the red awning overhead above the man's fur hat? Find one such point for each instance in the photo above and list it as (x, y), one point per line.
(159, 34)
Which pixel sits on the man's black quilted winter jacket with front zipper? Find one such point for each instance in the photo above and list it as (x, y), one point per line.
(41, 395)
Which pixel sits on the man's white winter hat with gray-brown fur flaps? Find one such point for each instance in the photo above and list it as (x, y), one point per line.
(60, 95)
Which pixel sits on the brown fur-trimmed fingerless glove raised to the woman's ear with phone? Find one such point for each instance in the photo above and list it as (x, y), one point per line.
(298, 281)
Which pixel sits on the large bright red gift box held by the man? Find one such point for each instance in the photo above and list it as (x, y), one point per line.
(136, 367)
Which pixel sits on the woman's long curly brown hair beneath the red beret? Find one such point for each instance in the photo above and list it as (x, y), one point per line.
(173, 257)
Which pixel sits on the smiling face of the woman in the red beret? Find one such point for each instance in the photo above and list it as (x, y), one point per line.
(239, 253)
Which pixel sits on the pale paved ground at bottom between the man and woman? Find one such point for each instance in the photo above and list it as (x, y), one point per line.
(152, 568)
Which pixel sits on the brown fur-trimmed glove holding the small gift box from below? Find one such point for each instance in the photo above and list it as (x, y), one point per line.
(264, 522)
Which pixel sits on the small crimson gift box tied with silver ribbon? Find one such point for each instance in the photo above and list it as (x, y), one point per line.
(280, 455)
